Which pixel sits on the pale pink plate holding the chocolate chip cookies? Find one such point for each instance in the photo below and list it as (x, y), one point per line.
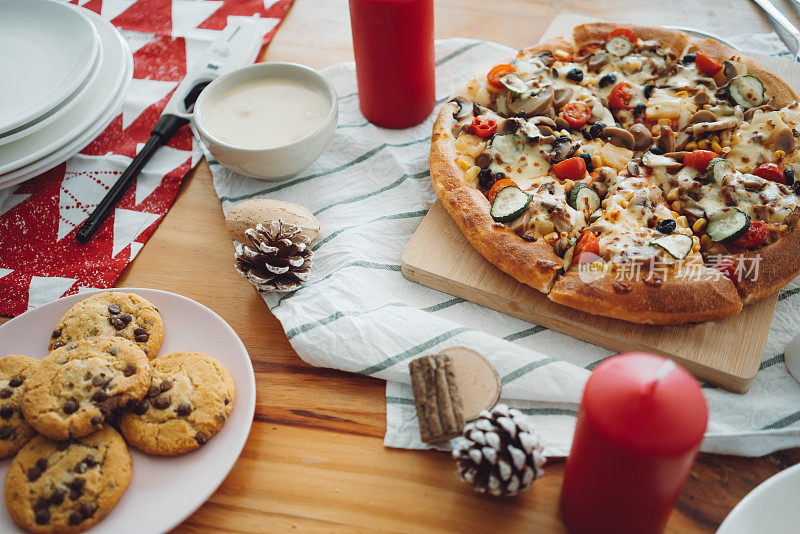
(164, 490)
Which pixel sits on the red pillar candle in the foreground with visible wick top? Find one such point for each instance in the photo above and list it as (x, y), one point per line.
(640, 424)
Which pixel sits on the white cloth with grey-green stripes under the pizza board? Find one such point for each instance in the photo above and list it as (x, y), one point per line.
(370, 190)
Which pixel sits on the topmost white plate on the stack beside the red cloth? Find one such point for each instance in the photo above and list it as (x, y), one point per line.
(47, 49)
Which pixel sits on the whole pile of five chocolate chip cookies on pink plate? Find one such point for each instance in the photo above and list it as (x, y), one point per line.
(62, 416)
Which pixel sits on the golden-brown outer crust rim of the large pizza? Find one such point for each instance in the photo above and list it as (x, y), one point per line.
(706, 297)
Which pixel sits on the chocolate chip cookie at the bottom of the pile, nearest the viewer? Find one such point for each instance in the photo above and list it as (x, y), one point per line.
(67, 486)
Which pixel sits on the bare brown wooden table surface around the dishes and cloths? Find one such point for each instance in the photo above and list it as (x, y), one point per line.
(315, 458)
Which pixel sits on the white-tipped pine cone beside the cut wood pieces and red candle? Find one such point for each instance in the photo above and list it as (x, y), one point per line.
(500, 453)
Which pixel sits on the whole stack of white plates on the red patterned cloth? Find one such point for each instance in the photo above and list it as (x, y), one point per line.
(65, 71)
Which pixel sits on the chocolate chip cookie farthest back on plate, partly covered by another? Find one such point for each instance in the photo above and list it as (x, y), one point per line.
(112, 314)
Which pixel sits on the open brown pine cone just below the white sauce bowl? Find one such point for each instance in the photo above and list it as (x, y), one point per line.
(279, 259)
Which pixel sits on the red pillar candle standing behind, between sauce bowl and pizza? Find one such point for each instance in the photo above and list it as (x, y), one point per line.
(393, 45)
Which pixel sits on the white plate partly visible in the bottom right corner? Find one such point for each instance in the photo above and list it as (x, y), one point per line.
(771, 507)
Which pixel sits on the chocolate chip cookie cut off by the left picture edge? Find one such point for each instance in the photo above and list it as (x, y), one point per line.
(14, 431)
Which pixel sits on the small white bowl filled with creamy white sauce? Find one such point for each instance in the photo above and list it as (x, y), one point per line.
(269, 120)
